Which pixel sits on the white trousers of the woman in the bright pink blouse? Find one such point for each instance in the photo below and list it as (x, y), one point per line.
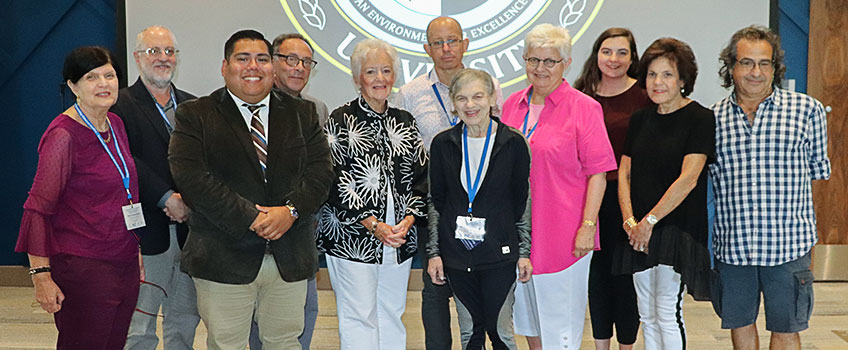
(552, 306)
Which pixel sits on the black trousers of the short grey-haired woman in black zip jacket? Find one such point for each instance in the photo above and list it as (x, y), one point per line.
(483, 293)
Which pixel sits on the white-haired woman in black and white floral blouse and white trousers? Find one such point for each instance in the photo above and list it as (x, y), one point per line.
(366, 228)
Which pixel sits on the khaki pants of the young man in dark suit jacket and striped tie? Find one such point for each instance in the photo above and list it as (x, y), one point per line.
(227, 309)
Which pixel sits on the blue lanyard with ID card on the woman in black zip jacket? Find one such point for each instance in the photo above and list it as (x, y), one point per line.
(472, 228)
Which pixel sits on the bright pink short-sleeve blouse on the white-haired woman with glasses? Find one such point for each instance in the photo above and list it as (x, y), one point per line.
(569, 144)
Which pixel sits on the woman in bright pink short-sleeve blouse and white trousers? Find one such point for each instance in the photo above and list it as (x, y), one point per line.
(571, 155)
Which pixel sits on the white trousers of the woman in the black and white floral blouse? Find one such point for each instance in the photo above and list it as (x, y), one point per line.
(370, 300)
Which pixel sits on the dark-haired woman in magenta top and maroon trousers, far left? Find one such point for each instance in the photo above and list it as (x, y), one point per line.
(76, 227)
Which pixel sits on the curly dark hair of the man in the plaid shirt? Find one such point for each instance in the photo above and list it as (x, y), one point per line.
(752, 33)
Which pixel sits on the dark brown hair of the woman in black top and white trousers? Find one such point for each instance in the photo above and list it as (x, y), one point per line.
(678, 53)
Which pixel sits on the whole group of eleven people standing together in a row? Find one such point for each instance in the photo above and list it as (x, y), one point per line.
(612, 209)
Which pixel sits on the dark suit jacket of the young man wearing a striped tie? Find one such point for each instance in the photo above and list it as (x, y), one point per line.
(215, 165)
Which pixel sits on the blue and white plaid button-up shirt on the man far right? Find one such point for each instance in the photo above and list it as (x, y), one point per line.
(762, 178)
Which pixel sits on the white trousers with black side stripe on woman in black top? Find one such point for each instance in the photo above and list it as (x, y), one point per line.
(660, 300)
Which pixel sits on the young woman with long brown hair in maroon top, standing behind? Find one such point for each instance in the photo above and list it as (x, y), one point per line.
(609, 76)
